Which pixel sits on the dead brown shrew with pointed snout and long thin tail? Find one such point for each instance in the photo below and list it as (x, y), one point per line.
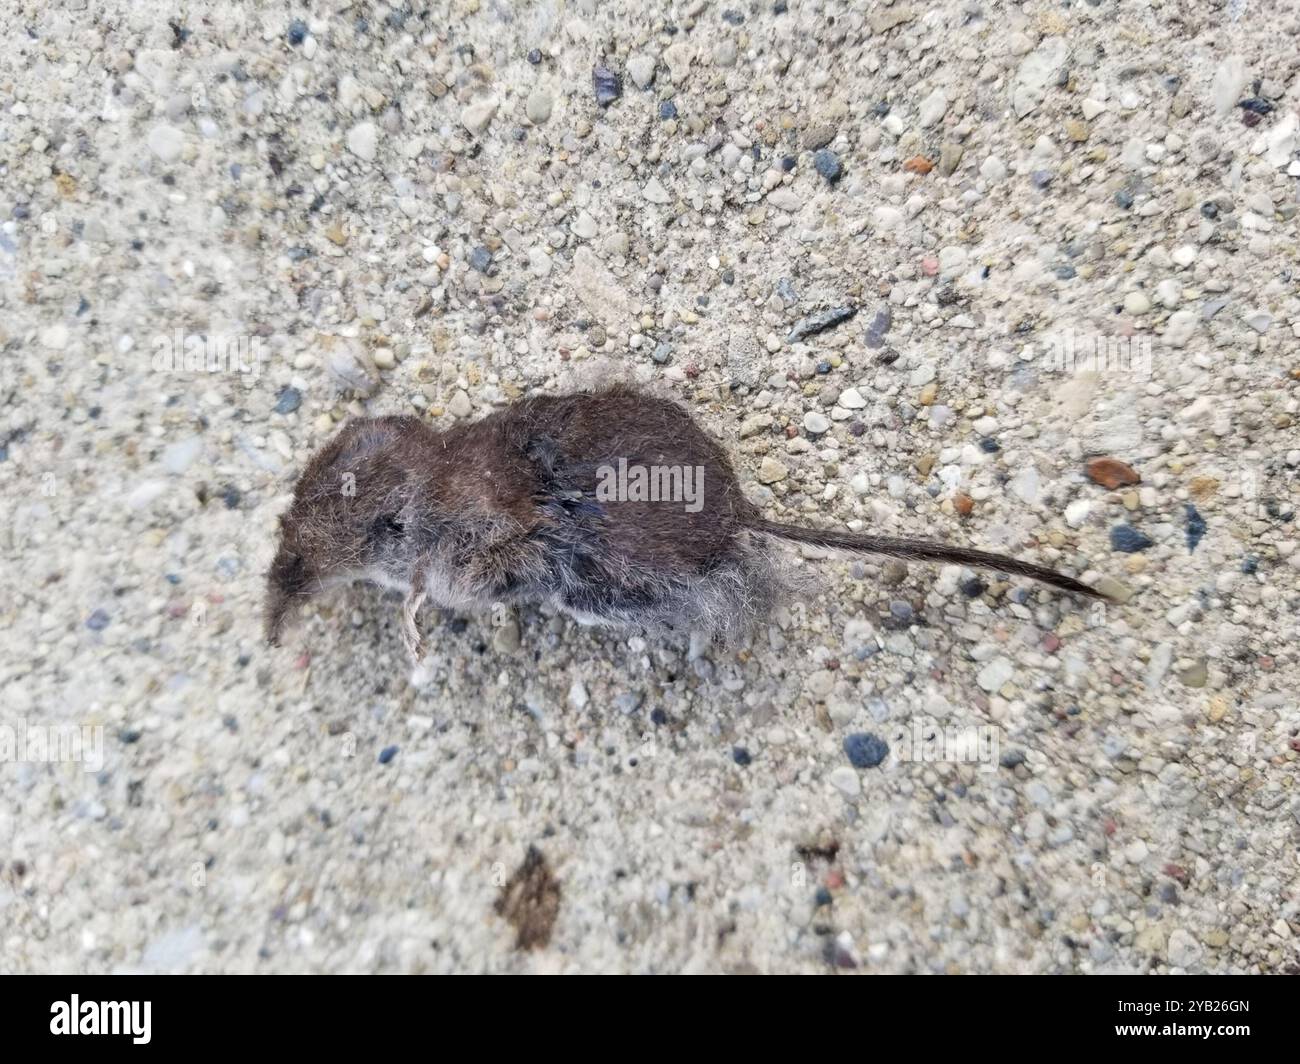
(506, 511)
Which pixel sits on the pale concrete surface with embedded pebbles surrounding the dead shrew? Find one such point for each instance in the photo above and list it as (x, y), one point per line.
(431, 210)
